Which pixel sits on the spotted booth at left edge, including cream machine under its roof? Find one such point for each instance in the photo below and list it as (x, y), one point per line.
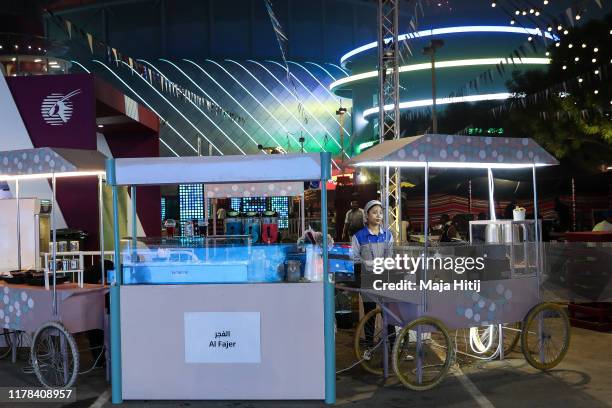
(50, 315)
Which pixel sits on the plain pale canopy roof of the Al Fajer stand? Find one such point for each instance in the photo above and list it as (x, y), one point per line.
(218, 169)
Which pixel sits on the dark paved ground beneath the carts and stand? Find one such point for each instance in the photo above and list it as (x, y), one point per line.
(581, 380)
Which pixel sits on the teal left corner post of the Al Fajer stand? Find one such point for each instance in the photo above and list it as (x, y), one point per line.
(115, 306)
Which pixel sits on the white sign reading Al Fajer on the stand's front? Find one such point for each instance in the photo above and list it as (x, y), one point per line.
(222, 337)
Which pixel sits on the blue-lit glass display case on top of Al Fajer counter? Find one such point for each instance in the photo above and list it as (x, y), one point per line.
(218, 259)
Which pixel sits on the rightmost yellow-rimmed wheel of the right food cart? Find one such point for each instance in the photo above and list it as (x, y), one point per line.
(546, 336)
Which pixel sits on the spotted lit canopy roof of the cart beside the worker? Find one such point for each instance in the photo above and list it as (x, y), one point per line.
(456, 151)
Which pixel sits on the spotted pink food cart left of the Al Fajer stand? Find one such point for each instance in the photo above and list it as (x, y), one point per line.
(50, 317)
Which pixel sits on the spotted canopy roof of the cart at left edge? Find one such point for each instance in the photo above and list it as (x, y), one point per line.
(46, 160)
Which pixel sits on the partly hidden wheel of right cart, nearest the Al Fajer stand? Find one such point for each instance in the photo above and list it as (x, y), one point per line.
(369, 342)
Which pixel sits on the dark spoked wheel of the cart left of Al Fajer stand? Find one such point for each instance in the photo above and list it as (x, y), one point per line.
(54, 356)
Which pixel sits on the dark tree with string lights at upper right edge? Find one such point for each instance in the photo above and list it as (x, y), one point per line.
(567, 109)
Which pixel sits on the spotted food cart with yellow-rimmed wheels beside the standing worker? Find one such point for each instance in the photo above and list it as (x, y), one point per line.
(423, 349)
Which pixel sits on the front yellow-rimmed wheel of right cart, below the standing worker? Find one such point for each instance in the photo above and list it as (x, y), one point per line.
(423, 353)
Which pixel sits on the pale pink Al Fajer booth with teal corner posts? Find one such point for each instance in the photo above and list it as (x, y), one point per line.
(216, 317)
